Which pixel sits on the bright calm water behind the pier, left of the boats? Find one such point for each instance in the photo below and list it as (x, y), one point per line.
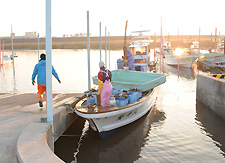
(71, 66)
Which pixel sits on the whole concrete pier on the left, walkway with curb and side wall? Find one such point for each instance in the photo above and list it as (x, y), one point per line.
(24, 137)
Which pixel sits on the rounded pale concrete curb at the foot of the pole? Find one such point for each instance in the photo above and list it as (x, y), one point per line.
(36, 136)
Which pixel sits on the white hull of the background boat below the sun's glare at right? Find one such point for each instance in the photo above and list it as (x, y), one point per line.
(184, 61)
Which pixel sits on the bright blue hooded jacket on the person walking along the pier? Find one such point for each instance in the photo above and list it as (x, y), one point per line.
(40, 70)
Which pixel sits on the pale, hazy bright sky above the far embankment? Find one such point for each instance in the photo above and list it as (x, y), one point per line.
(70, 16)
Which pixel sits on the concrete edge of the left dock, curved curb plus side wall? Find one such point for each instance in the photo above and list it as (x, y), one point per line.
(36, 141)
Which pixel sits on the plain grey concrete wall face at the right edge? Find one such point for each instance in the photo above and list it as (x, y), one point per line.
(211, 92)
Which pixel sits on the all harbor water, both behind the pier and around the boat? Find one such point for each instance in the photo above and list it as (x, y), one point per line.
(177, 129)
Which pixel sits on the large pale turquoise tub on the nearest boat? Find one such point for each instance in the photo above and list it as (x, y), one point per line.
(126, 80)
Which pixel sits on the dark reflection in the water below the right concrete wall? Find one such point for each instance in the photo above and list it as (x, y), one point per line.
(212, 124)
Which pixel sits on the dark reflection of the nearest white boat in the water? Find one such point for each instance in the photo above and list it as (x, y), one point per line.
(123, 146)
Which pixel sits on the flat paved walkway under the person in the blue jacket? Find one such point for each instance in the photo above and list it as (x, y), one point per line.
(17, 110)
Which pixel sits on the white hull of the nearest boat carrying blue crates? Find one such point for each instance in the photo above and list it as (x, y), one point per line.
(106, 123)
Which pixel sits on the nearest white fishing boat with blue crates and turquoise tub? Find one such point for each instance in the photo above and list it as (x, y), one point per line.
(134, 94)
